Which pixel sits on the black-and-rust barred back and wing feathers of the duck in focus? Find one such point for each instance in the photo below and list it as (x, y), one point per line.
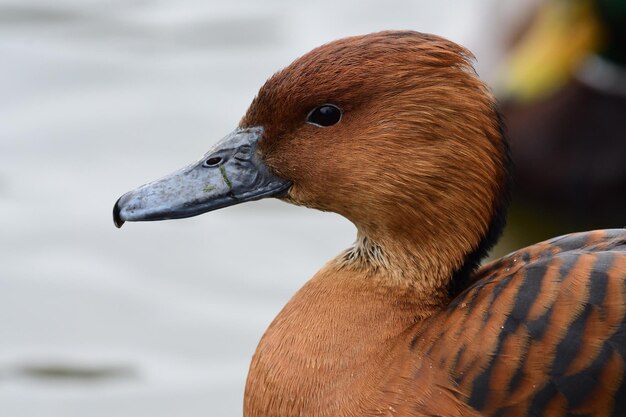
(541, 331)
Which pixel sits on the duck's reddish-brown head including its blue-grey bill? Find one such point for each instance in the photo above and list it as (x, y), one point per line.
(392, 130)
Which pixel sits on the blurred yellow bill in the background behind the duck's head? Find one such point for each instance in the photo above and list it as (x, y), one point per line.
(562, 34)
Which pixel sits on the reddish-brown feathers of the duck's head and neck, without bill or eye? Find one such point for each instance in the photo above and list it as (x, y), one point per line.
(417, 161)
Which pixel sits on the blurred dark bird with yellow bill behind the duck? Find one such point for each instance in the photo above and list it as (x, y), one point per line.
(564, 102)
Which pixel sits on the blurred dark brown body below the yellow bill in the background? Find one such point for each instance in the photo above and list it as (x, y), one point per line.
(570, 154)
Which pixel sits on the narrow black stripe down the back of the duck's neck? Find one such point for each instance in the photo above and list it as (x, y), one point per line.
(462, 278)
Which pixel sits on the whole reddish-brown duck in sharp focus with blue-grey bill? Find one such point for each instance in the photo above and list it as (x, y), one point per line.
(396, 132)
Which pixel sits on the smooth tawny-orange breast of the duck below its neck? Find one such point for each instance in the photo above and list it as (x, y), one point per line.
(333, 339)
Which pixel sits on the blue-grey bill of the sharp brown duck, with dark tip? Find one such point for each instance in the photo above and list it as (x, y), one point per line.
(231, 173)
